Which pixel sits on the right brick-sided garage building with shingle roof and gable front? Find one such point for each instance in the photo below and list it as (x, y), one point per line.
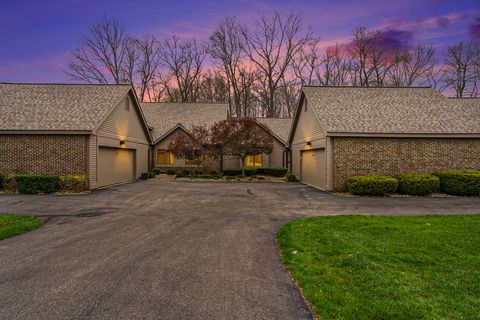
(339, 132)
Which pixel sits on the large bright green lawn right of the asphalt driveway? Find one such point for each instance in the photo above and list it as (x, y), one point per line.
(371, 267)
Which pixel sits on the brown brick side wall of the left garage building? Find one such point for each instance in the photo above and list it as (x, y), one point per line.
(43, 154)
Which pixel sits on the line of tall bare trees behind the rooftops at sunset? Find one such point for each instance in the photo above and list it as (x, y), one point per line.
(259, 68)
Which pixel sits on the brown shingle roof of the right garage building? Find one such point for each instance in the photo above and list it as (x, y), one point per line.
(392, 110)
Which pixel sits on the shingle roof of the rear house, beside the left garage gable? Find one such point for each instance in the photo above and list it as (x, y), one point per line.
(163, 117)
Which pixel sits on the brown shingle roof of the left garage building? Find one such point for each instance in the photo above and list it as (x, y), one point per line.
(57, 106)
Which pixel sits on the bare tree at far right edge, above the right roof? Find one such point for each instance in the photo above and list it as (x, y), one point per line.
(460, 71)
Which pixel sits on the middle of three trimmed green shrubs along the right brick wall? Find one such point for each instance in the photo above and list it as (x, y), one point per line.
(417, 184)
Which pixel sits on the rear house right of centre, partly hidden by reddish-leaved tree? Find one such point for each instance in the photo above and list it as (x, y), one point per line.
(279, 128)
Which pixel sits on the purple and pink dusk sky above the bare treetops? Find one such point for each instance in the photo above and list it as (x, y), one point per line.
(37, 37)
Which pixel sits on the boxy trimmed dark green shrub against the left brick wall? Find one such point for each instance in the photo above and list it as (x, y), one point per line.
(37, 183)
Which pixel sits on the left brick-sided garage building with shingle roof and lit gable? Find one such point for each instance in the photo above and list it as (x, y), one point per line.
(70, 129)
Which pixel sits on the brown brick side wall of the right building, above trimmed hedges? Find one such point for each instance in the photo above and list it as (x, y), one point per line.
(388, 156)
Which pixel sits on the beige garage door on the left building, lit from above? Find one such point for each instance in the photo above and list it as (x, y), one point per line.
(115, 166)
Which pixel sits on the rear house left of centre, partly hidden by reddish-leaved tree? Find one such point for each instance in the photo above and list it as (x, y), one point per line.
(168, 118)
